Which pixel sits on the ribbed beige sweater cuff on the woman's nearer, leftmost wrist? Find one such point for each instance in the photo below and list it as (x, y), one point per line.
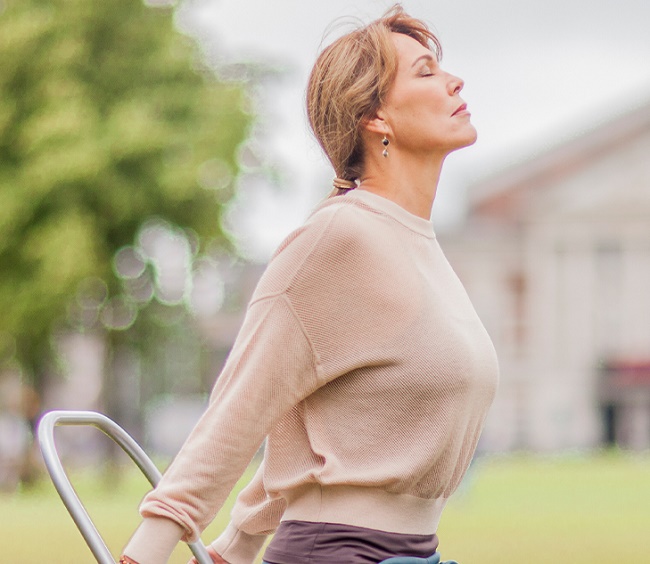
(154, 541)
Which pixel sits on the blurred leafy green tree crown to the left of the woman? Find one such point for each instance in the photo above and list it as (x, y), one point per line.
(107, 117)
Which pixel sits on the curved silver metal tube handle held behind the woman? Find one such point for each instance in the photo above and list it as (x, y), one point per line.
(63, 486)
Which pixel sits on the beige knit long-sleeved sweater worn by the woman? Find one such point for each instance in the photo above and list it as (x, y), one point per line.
(363, 363)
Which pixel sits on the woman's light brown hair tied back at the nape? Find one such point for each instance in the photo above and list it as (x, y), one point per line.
(349, 83)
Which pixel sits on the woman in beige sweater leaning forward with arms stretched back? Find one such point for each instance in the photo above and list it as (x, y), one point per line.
(360, 360)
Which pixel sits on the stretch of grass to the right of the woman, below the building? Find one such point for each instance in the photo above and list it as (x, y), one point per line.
(528, 510)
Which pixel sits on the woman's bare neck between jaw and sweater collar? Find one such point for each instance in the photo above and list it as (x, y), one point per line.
(406, 180)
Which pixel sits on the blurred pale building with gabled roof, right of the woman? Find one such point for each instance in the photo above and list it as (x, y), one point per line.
(555, 254)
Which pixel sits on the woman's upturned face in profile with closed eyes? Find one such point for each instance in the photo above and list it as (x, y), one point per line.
(423, 108)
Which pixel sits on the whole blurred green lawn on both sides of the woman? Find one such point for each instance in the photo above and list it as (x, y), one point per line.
(510, 510)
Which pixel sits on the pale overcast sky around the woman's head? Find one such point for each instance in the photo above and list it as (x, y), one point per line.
(537, 72)
